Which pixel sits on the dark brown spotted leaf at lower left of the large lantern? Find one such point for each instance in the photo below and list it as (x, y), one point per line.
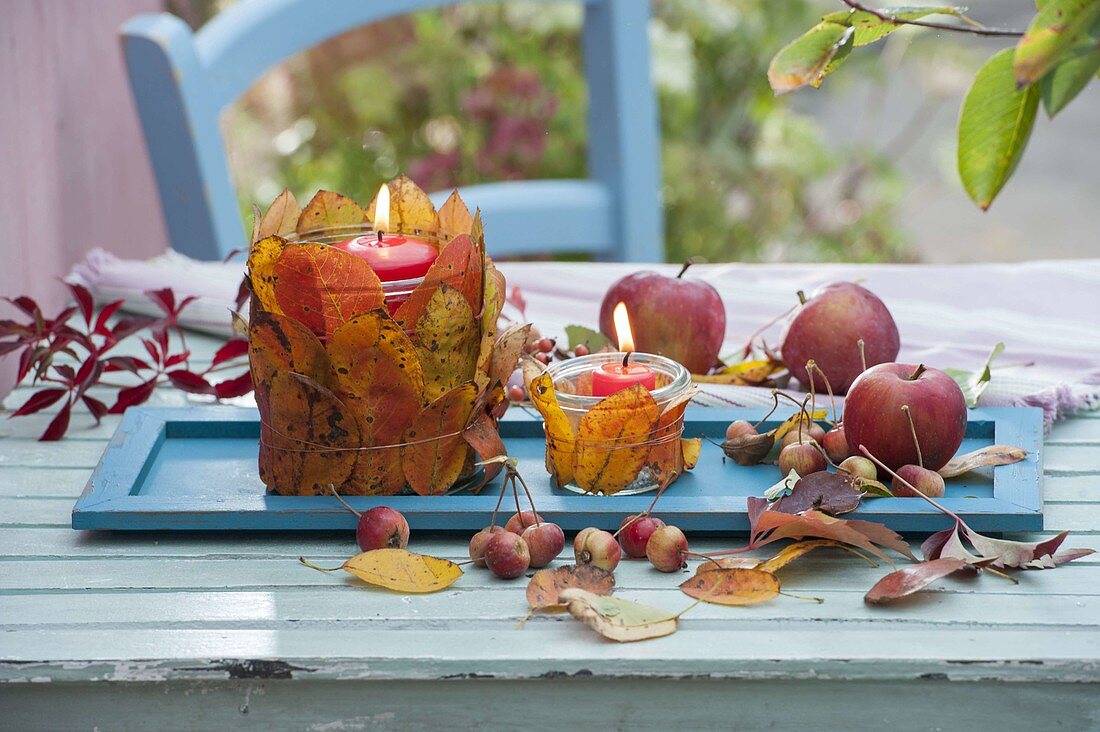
(309, 440)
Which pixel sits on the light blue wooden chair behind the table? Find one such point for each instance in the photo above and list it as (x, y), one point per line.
(183, 81)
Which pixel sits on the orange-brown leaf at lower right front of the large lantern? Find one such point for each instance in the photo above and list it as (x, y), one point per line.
(435, 452)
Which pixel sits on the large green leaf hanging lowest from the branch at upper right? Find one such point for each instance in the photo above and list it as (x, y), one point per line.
(995, 125)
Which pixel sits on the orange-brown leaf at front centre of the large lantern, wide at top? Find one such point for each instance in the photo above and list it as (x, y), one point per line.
(377, 368)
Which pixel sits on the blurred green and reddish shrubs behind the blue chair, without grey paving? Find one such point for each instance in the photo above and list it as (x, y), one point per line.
(493, 93)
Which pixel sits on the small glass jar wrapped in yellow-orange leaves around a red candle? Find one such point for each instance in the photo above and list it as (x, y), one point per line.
(623, 444)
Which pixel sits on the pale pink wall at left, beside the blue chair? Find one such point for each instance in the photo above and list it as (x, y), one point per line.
(74, 173)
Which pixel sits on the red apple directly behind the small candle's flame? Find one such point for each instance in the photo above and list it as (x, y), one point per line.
(683, 320)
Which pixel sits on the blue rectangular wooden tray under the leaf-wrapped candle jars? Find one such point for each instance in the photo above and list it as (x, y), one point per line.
(195, 469)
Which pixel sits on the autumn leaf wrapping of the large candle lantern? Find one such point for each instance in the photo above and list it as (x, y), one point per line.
(369, 390)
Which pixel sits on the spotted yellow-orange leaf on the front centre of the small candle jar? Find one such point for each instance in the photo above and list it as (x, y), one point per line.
(612, 441)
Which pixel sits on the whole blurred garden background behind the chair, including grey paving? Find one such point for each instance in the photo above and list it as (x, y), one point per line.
(863, 170)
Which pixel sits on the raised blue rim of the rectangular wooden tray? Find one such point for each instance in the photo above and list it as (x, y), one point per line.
(107, 502)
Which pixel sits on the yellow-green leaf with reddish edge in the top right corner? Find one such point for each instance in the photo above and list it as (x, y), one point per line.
(1057, 29)
